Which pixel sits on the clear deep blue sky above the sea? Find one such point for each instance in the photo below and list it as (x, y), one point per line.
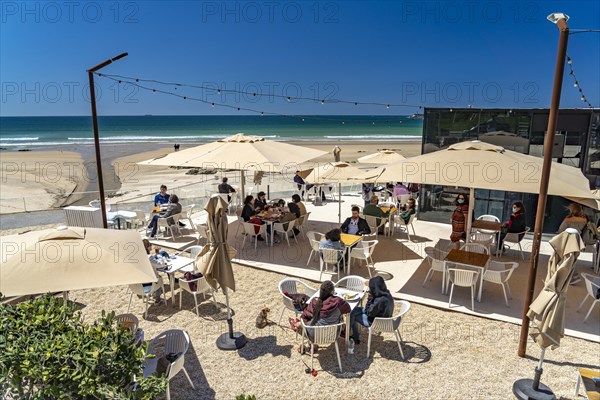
(430, 53)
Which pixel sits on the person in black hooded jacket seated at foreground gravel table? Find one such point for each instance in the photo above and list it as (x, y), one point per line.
(379, 304)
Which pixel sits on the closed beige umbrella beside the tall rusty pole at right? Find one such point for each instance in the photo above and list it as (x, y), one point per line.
(547, 312)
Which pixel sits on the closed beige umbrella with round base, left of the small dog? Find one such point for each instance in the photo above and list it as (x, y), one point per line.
(214, 262)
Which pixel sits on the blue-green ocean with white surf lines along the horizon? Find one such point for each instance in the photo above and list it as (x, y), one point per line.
(35, 132)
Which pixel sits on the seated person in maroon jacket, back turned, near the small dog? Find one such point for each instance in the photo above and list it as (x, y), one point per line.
(326, 309)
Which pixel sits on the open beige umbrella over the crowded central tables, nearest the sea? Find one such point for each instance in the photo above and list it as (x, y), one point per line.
(240, 152)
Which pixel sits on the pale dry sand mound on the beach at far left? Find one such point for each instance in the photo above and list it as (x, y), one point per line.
(40, 180)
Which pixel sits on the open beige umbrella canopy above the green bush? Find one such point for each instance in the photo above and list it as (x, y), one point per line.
(63, 259)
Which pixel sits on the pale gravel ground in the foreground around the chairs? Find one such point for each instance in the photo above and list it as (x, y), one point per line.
(448, 354)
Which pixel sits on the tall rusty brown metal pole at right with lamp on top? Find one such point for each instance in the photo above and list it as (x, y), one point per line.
(541, 207)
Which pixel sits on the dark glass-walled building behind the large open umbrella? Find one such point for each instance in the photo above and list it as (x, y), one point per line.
(577, 144)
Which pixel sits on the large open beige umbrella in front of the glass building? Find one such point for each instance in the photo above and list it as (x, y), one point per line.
(475, 164)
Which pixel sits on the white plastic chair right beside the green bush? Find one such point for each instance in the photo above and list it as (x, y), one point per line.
(176, 341)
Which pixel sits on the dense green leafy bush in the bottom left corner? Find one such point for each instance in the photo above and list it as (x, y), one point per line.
(47, 352)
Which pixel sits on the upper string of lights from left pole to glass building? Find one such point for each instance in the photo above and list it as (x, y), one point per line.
(254, 94)
